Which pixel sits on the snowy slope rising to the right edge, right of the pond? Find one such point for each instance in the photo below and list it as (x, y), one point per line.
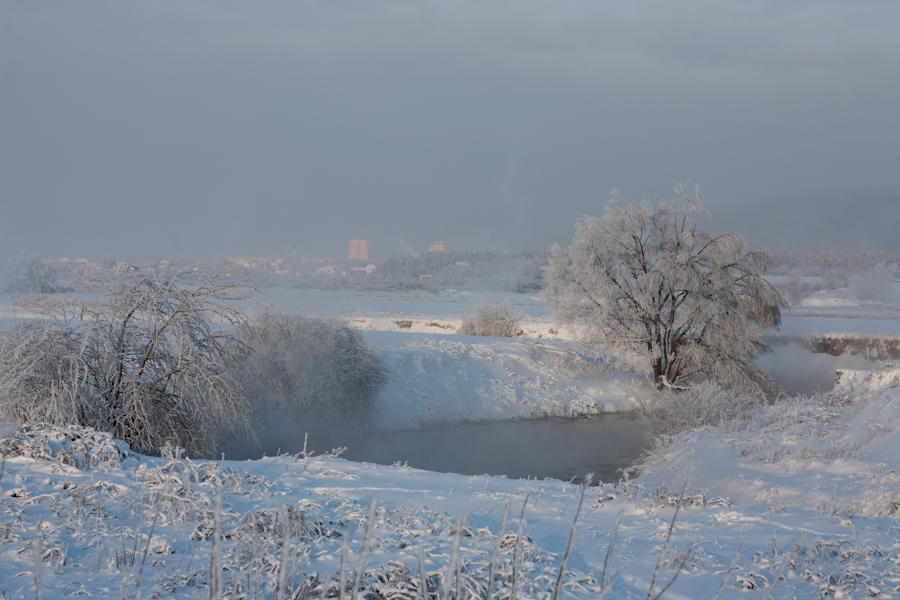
(836, 453)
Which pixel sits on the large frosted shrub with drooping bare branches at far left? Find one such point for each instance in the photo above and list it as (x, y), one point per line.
(144, 361)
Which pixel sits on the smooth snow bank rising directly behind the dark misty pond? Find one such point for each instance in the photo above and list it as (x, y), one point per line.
(451, 379)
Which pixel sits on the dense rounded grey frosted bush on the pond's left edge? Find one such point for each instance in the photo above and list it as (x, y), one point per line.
(306, 368)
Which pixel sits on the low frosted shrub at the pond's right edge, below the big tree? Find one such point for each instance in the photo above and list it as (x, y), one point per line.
(670, 412)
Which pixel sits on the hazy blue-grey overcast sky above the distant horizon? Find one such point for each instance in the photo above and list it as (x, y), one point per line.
(150, 128)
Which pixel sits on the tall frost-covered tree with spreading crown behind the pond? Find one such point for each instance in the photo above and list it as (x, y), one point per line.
(658, 296)
